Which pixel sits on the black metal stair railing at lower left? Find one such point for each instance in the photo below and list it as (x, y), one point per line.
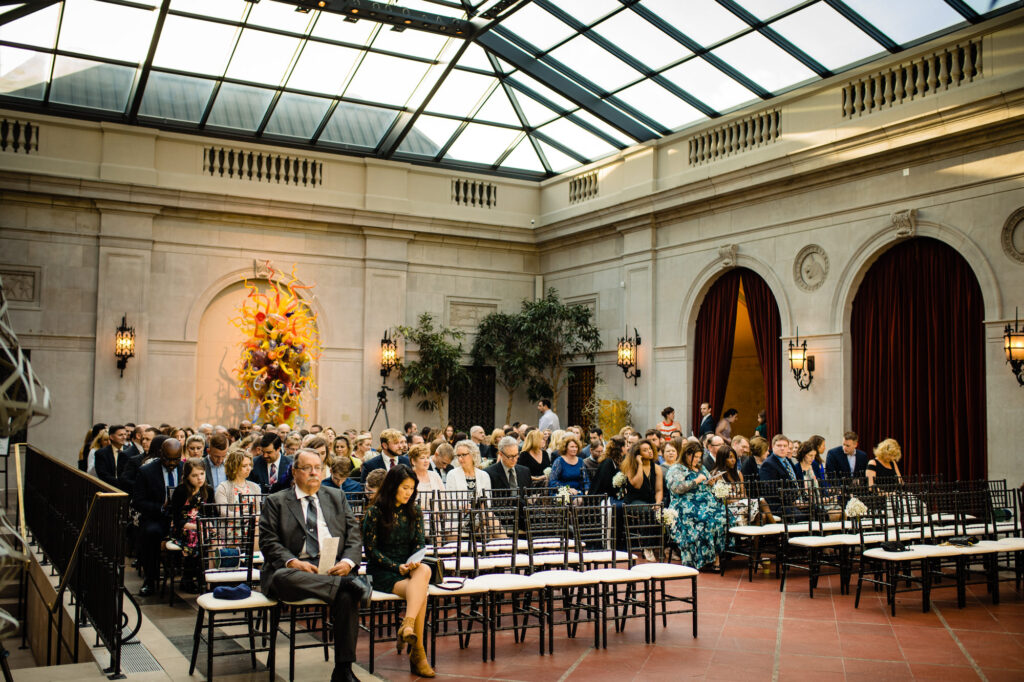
(78, 523)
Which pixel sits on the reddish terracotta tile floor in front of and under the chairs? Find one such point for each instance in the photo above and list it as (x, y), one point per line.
(748, 631)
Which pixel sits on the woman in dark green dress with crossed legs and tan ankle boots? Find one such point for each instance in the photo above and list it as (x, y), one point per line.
(393, 532)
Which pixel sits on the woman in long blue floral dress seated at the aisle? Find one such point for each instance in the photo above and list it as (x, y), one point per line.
(700, 528)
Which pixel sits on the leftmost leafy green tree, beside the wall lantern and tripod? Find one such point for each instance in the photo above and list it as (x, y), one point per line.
(439, 370)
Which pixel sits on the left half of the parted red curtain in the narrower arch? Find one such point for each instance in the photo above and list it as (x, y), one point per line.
(713, 350)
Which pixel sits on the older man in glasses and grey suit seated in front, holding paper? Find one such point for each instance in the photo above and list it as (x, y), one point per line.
(292, 528)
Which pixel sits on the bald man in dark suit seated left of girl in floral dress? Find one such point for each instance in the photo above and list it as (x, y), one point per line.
(150, 497)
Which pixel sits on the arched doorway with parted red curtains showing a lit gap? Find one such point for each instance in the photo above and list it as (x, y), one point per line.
(737, 352)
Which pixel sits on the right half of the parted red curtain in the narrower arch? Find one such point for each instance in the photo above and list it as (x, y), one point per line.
(767, 330)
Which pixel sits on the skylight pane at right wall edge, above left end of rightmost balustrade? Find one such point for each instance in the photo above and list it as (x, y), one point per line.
(827, 36)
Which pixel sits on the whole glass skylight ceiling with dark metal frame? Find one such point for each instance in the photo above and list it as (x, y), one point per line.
(542, 88)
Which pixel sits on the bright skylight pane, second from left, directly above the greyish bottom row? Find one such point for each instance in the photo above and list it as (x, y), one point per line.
(109, 31)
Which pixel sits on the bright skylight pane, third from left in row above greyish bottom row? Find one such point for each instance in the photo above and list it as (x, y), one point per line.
(199, 48)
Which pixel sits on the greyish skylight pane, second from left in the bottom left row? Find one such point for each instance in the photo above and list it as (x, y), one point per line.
(87, 83)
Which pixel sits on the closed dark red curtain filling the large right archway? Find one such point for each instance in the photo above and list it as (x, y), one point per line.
(919, 374)
